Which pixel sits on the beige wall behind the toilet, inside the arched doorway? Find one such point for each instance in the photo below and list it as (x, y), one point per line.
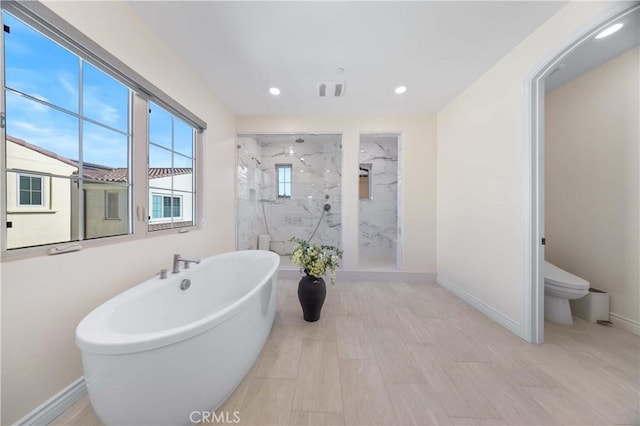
(591, 185)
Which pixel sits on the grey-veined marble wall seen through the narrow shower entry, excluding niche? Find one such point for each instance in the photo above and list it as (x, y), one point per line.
(378, 216)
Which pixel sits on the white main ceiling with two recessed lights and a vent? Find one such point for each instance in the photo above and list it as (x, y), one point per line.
(435, 48)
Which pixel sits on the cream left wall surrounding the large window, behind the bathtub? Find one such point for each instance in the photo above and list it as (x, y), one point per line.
(44, 298)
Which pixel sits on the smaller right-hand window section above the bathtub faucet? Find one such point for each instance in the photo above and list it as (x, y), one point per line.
(171, 170)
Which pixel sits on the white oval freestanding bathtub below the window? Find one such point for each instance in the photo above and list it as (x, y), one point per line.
(157, 354)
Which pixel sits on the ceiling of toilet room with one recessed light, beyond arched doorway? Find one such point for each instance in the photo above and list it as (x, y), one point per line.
(593, 52)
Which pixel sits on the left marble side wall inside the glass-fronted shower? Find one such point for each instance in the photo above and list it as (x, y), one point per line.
(250, 178)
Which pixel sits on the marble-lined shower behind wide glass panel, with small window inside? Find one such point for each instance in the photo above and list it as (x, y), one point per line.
(288, 186)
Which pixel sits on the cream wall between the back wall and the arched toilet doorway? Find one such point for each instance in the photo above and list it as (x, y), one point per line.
(482, 146)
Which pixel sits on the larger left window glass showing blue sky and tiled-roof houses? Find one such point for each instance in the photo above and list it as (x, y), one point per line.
(68, 121)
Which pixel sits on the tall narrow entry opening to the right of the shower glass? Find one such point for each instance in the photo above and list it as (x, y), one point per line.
(378, 193)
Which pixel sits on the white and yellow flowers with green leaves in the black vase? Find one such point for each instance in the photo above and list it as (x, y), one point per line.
(315, 259)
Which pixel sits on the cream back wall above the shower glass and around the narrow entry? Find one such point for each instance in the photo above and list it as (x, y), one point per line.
(418, 162)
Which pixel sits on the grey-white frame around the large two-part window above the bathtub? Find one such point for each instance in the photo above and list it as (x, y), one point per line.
(50, 25)
